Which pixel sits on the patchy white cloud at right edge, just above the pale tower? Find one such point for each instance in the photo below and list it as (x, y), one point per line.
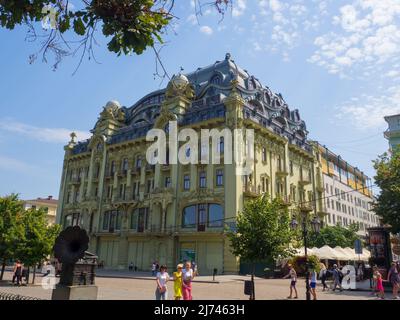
(368, 111)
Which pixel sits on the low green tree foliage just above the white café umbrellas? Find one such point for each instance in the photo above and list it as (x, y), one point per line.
(334, 236)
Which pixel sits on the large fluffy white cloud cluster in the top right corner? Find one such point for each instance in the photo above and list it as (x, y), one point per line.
(367, 38)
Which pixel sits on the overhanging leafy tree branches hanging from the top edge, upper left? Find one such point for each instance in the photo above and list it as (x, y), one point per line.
(131, 25)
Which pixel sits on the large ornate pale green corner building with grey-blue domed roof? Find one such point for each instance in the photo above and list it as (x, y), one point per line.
(140, 213)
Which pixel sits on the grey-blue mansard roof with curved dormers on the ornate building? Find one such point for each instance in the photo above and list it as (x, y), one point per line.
(212, 84)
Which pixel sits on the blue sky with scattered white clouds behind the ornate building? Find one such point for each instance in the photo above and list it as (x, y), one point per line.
(336, 61)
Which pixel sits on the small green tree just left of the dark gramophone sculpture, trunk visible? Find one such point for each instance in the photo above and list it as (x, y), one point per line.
(38, 241)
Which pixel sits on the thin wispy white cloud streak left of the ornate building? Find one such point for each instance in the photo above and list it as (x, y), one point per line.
(51, 135)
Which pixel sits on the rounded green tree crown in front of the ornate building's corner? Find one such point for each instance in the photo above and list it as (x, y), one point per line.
(262, 231)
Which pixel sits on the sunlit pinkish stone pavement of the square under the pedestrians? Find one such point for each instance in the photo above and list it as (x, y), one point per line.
(230, 288)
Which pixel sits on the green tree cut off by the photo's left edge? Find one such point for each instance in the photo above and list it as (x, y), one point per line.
(11, 228)
